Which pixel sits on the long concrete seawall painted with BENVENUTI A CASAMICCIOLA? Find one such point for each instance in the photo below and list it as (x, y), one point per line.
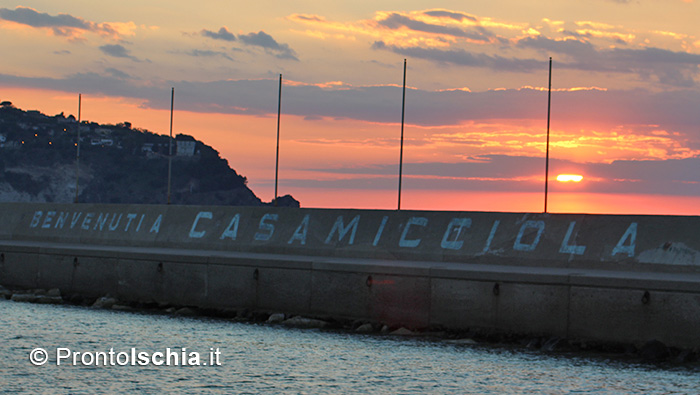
(609, 278)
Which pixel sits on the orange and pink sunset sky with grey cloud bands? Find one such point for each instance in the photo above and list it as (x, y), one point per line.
(625, 94)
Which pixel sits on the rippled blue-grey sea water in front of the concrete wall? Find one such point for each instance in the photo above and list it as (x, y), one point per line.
(273, 360)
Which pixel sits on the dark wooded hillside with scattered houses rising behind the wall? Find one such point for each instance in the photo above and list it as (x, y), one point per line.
(118, 164)
